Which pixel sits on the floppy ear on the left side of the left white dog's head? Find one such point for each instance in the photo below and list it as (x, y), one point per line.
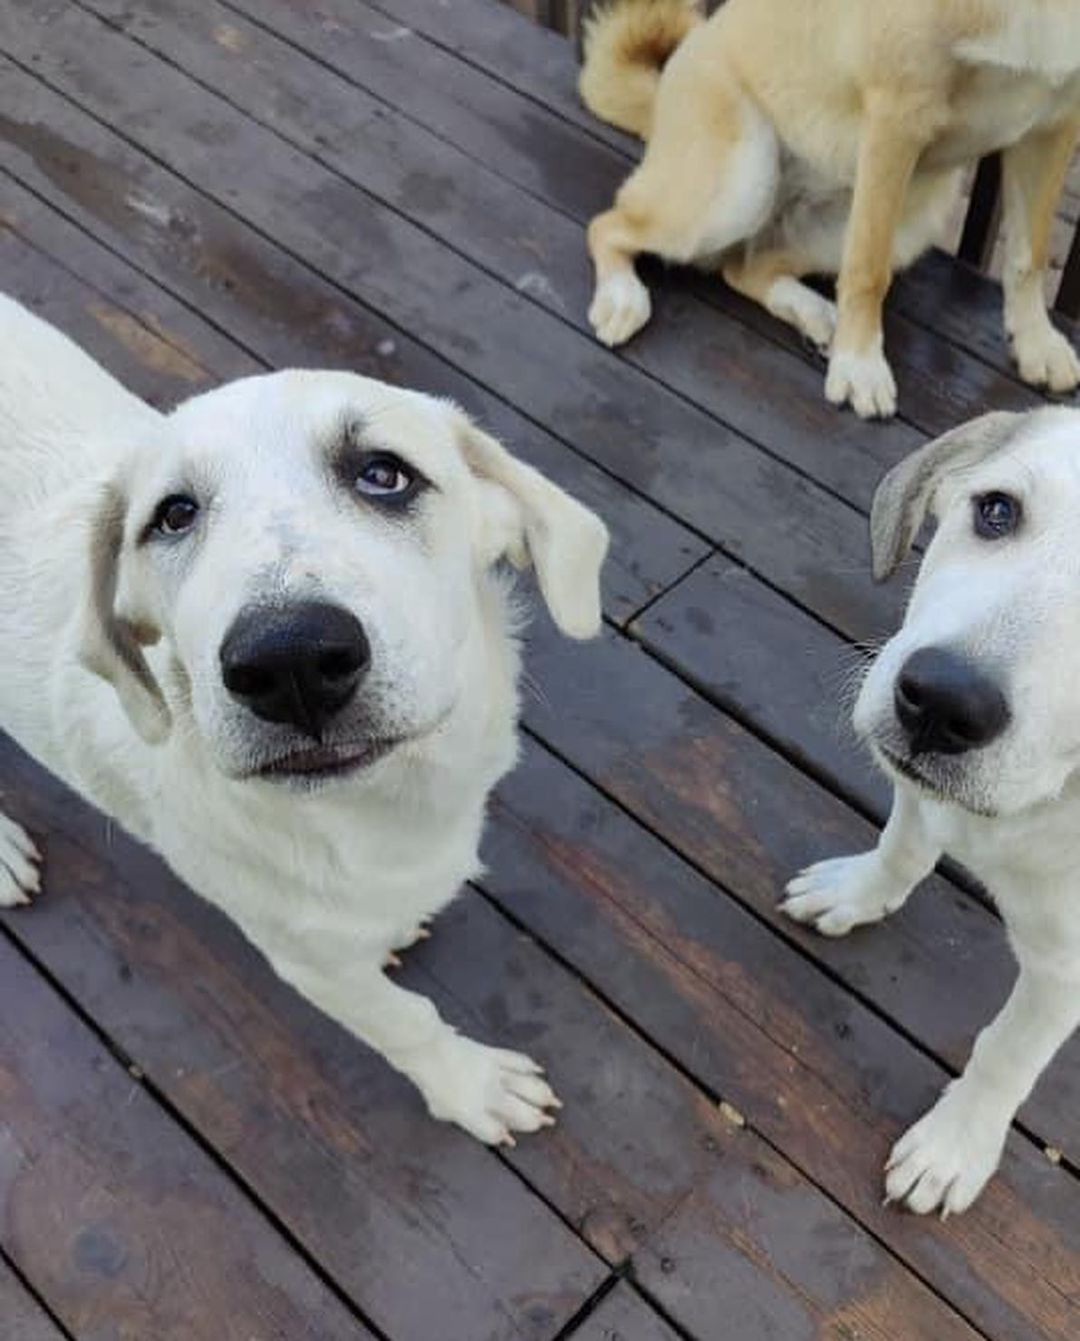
(108, 644)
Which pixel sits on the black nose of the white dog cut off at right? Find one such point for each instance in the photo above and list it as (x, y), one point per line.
(947, 705)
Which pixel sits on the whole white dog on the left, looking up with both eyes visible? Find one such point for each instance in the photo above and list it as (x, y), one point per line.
(268, 635)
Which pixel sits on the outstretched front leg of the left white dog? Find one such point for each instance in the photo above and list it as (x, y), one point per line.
(486, 1091)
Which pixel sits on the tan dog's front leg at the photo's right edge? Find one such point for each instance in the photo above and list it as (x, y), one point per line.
(1034, 178)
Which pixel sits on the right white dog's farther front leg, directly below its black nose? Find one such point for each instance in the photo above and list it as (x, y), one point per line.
(847, 892)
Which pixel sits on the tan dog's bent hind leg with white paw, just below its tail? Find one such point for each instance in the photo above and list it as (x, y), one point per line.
(701, 190)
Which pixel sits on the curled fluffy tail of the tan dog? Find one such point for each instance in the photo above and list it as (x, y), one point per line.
(627, 45)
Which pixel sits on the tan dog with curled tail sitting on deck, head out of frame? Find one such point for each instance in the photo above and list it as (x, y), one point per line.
(795, 137)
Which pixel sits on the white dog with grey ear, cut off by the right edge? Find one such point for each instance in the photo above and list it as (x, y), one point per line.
(975, 711)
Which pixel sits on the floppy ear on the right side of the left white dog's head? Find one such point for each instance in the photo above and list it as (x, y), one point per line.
(543, 525)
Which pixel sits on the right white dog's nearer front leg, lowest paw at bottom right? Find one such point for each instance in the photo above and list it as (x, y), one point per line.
(947, 1159)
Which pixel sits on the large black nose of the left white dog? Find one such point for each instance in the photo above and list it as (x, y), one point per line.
(297, 664)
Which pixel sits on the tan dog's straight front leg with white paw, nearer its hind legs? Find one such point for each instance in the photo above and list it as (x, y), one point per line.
(890, 145)
